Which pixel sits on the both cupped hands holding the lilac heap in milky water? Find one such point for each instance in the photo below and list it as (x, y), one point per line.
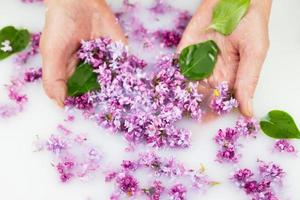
(242, 53)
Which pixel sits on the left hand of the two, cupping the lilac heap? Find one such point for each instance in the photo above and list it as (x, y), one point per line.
(67, 23)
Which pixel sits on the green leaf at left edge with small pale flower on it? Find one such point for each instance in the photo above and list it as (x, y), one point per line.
(19, 40)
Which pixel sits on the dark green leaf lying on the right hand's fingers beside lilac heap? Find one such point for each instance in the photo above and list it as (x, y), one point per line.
(198, 61)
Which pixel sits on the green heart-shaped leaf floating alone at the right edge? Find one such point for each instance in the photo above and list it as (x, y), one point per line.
(280, 125)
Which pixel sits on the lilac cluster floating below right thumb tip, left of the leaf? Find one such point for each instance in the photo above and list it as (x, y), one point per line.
(228, 139)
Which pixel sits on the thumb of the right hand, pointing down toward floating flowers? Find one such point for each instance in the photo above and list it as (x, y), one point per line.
(247, 78)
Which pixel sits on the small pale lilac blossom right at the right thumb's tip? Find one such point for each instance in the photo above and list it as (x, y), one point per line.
(247, 127)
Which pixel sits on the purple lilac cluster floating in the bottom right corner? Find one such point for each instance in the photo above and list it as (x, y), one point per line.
(260, 186)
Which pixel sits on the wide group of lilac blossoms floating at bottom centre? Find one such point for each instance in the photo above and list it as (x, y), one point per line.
(128, 185)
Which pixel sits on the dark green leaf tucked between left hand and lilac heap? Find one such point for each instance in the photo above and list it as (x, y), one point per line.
(83, 80)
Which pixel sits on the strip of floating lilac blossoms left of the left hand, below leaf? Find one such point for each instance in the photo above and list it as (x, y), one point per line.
(23, 76)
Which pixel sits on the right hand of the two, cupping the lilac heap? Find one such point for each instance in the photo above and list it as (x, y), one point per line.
(242, 53)
